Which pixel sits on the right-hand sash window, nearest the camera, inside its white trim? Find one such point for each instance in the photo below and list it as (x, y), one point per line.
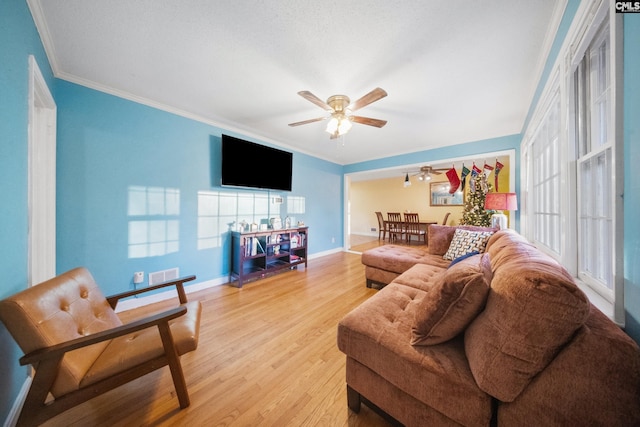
(594, 152)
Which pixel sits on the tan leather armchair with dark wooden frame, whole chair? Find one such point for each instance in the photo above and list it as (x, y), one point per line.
(79, 348)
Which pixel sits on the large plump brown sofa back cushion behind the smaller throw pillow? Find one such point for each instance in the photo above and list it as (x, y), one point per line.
(533, 308)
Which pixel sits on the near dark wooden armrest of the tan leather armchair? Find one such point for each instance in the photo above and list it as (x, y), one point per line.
(57, 351)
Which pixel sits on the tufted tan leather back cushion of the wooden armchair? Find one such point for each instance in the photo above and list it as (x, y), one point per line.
(61, 309)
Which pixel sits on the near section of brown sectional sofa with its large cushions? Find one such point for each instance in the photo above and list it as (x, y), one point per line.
(501, 338)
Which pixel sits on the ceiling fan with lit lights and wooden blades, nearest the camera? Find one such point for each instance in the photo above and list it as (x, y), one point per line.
(340, 109)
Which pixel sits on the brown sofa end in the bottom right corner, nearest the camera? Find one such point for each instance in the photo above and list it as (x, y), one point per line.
(593, 381)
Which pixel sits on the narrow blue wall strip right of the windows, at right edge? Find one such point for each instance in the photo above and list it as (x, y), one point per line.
(631, 179)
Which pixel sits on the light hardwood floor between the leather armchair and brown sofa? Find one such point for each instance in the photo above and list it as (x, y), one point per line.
(267, 357)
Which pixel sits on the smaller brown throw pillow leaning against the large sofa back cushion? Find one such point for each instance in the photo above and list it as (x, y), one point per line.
(455, 299)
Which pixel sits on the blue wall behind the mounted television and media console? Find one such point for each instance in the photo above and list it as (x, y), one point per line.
(108, 145)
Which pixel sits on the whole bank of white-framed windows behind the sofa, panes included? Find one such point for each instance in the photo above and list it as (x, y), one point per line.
(571, 156)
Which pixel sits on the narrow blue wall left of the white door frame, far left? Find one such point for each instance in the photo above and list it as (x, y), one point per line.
(18, 40)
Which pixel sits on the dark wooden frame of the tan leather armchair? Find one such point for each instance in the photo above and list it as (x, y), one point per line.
(45, 361)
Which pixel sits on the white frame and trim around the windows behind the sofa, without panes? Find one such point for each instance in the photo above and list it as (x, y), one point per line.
(589, 19)
